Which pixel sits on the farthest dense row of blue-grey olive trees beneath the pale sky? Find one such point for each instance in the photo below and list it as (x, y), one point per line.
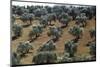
(38, 11)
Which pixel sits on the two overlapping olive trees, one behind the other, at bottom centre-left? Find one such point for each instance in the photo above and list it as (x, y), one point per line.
(46, 54)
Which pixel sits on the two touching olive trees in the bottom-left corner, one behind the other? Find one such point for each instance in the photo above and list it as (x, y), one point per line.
(22, 50)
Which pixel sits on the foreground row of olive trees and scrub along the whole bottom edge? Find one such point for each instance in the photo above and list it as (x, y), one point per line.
(46, 53)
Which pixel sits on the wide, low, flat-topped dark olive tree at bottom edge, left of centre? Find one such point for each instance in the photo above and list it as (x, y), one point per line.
(45, 58)
